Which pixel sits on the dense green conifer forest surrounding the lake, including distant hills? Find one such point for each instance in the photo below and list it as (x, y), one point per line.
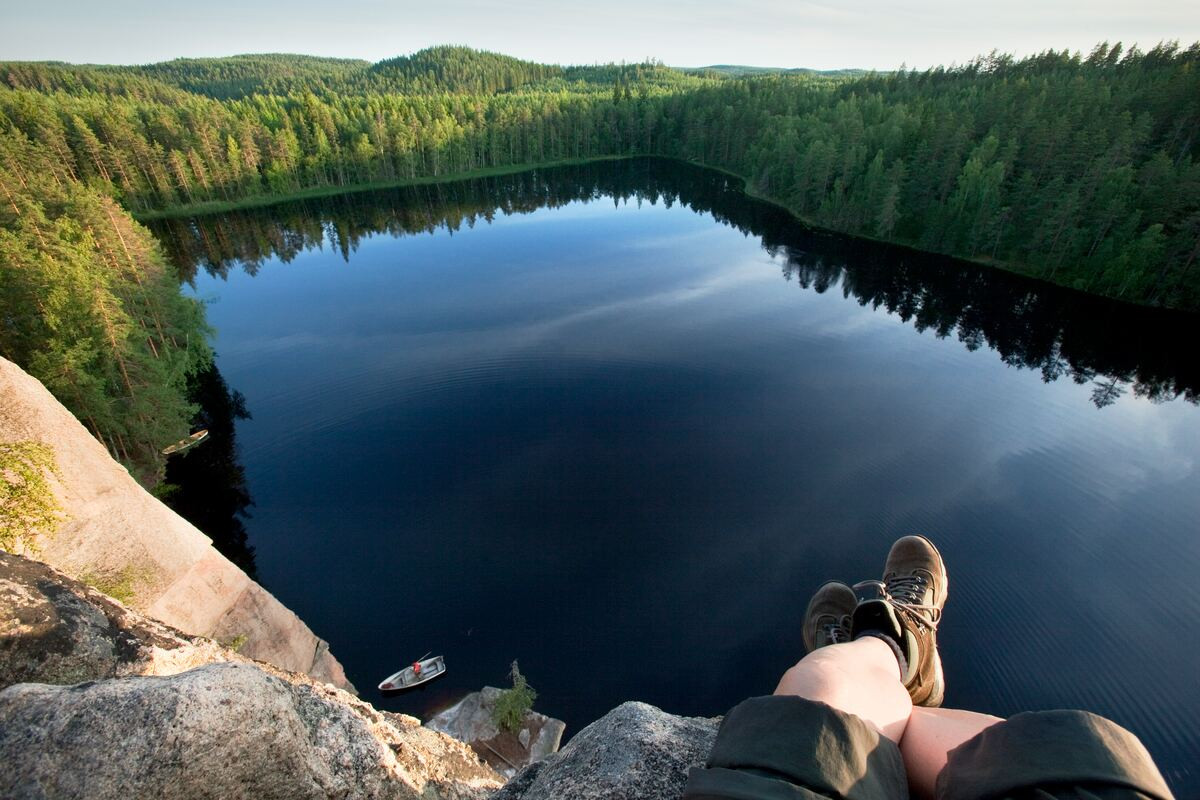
(1078, 170)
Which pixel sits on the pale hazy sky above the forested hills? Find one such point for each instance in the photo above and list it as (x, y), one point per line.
(867, 34)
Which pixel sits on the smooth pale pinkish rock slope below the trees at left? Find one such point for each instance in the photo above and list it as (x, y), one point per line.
(116, 533)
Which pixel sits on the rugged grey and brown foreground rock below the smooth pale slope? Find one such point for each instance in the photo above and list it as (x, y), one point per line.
(152, 712)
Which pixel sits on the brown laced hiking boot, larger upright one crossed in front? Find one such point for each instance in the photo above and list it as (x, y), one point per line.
(907, 607)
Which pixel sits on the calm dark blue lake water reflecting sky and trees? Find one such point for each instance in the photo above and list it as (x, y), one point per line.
(622, 441)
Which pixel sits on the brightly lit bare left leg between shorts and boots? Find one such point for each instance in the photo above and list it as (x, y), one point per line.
(860, 678)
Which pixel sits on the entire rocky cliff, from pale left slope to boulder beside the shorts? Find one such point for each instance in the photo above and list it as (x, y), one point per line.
(101, 700)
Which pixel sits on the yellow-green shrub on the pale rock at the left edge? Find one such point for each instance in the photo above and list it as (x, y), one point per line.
(28, 507)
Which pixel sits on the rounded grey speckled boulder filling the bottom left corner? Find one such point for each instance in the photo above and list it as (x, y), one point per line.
(223, 731)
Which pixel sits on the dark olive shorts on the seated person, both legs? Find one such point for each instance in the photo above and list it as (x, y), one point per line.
(788, 748)
